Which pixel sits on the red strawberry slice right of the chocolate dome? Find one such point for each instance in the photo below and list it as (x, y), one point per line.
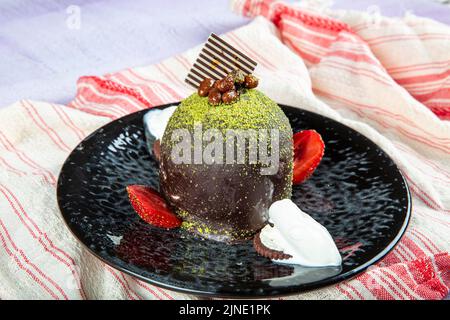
(308, 151)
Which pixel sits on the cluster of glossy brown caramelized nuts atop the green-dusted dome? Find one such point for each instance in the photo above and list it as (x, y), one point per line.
(227, 89)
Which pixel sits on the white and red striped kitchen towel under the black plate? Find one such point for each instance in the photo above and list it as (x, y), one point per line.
(334, 63)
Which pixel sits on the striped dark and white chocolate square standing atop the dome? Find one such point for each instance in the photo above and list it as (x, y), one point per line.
(216, 59)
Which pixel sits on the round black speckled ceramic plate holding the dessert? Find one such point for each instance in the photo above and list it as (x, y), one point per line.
(357, 193)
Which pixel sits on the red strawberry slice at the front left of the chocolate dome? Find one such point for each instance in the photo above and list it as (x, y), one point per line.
(151, 207)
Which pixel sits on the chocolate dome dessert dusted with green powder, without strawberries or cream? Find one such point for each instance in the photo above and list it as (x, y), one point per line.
(225, 201)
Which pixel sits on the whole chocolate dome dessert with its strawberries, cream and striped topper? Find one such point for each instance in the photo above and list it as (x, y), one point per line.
(228, 159)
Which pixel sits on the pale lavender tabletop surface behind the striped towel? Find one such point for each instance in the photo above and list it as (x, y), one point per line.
(41, 58)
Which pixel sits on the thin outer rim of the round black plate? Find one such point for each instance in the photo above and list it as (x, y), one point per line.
(286, 291)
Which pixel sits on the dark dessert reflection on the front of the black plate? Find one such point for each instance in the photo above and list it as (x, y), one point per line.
(158, 251)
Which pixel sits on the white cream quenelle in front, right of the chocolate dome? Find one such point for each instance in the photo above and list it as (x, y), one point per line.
(296, 233)
